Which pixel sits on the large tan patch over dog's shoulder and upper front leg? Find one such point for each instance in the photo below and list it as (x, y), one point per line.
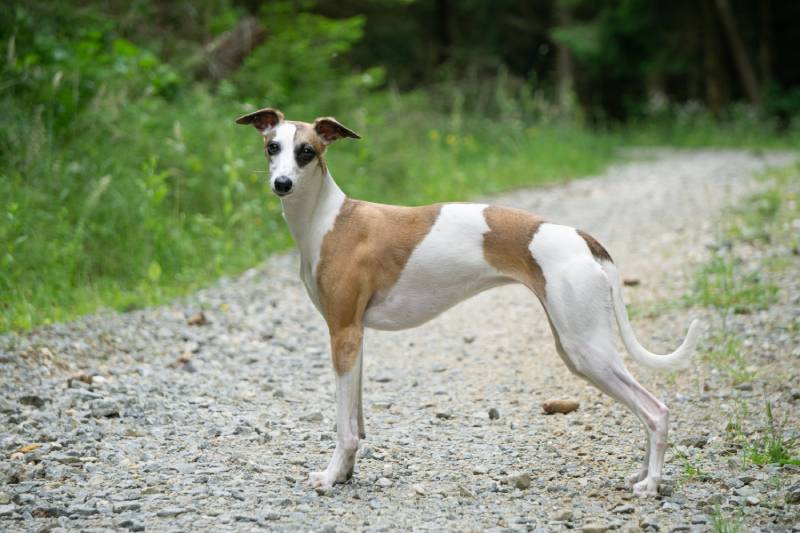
(358, 261)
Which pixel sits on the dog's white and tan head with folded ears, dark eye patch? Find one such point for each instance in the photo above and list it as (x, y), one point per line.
(294, 149)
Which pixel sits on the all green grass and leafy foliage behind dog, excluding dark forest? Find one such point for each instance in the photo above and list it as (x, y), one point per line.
(124, 182)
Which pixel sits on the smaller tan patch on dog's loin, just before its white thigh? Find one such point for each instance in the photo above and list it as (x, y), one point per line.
(506, 246)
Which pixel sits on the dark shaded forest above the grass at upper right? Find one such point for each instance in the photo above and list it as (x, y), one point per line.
(618, 58)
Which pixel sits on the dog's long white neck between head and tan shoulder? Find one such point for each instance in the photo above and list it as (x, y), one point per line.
(311, 213)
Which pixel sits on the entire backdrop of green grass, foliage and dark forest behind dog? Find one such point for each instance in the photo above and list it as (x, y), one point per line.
(123, 180)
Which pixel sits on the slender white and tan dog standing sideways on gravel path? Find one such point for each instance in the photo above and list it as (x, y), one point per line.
(387, 267)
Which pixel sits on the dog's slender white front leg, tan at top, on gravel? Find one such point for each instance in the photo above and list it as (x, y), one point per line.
(346, 347)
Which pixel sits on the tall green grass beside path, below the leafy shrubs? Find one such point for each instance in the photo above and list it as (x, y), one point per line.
(131, 216)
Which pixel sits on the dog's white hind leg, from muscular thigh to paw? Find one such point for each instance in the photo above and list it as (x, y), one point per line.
(579, 305)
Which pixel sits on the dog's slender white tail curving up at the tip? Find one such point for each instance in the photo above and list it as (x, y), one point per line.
(677, 359)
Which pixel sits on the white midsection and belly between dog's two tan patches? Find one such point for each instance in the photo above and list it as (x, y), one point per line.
(447, 267)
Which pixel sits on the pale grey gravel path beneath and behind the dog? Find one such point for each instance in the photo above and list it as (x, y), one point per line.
(168, 426)
